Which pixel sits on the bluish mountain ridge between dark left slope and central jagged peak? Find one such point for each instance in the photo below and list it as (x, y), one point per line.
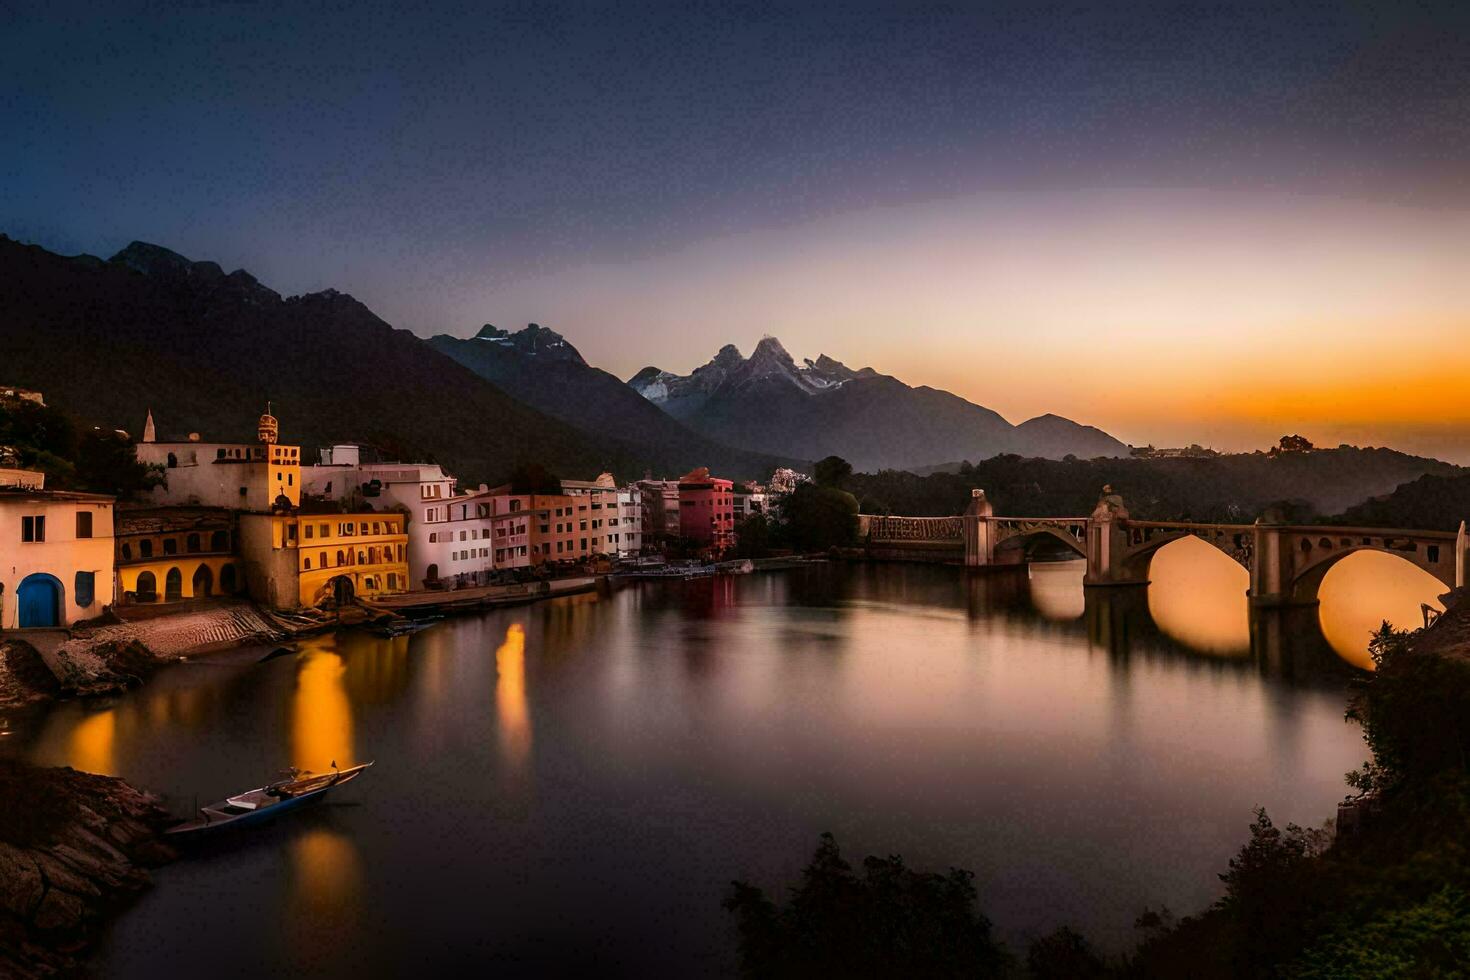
(543, 370)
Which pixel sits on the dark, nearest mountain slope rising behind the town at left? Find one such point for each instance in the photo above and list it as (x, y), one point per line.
(205, 350)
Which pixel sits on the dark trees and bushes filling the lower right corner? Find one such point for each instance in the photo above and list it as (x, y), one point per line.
(1390, 901)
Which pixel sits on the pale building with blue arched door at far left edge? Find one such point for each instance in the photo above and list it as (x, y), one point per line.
(57, 556)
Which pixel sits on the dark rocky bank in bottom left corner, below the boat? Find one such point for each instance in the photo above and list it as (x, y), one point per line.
(74, 851)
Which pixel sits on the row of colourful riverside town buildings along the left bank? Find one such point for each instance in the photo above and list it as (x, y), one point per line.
(315, 541)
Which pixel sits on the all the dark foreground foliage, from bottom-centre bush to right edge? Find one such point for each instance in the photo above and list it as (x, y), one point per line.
(1390, 901)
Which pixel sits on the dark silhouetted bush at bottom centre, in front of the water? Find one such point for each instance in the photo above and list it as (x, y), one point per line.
(886, 922)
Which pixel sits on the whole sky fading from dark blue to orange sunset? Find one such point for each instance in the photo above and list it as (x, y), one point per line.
(1184, 224)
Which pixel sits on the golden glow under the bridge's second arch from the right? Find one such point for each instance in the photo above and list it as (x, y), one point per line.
(1197, 596)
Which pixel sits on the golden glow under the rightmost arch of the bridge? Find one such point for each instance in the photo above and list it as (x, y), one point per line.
(1366, 588)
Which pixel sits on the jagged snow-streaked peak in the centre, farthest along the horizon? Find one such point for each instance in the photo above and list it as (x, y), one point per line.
(821, 408)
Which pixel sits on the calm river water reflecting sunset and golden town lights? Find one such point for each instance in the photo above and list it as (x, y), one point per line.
(571, 785)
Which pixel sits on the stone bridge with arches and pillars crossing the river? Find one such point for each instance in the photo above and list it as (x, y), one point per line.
(1287, 563)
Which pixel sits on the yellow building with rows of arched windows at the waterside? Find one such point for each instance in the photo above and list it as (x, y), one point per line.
(295, 561)
